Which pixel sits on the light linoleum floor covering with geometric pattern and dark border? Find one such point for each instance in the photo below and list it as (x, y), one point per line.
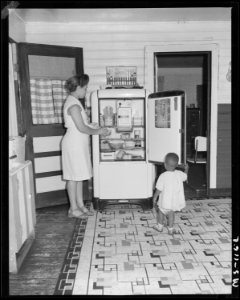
(117, 252)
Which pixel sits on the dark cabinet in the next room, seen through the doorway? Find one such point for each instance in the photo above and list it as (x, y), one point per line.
(193, 128)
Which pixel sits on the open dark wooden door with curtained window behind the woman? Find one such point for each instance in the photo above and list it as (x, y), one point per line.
(41, 64)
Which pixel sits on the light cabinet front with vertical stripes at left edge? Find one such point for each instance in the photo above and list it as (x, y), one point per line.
(22, 215)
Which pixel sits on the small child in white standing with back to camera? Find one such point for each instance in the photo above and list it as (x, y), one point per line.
(169, 189)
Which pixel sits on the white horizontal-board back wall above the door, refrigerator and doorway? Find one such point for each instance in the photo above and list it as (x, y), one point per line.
(109, 44)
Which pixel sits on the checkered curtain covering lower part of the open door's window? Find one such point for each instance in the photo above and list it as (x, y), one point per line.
(47, 98)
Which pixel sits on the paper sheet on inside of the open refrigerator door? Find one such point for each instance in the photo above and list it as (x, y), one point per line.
(162, 113)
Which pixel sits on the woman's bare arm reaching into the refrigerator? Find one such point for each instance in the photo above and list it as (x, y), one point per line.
(75, 112)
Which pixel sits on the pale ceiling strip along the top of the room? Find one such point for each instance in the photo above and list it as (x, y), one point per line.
(125, 15)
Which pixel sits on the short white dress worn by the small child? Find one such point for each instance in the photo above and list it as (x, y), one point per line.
(172, 193)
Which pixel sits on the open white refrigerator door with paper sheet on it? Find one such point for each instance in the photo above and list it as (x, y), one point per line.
(166, 125)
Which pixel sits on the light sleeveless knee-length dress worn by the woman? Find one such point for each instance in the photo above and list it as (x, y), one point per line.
(76, 161)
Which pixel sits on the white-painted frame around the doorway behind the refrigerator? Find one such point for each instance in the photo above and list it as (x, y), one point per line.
(149, 64)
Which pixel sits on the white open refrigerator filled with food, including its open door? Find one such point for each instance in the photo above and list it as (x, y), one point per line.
(143, 127)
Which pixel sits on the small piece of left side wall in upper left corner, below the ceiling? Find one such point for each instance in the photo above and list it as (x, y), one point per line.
(16, 27)
